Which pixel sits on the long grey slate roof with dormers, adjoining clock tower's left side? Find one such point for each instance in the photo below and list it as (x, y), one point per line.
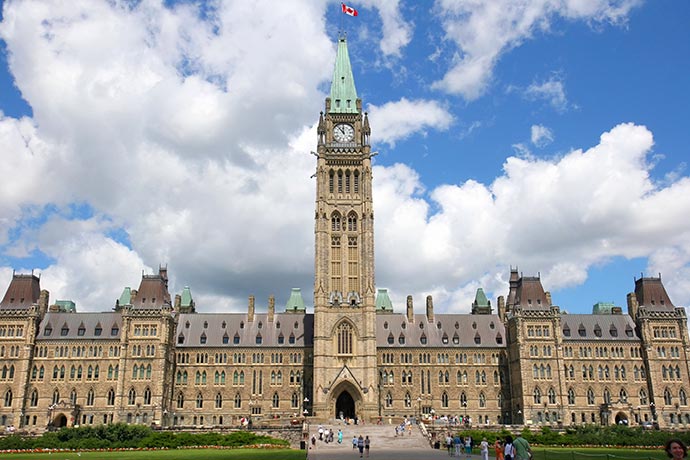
(213, 326)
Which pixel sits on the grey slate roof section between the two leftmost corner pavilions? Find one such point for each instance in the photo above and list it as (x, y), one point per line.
(73, 322)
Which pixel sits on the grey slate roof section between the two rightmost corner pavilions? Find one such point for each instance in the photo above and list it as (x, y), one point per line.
(610, 327)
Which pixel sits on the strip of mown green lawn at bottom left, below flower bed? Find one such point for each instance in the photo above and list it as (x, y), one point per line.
(206, 454)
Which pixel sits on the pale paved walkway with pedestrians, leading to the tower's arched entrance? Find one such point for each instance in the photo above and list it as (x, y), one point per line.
(384, 444)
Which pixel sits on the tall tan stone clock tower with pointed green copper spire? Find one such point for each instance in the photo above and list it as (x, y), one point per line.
(345, 372)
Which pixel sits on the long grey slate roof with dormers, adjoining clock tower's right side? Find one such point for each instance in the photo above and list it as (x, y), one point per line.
(463, 326)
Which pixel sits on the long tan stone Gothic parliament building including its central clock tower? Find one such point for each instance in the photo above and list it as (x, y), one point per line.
(155, 359)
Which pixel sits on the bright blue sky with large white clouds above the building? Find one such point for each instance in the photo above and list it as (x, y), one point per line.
(550, 135)
